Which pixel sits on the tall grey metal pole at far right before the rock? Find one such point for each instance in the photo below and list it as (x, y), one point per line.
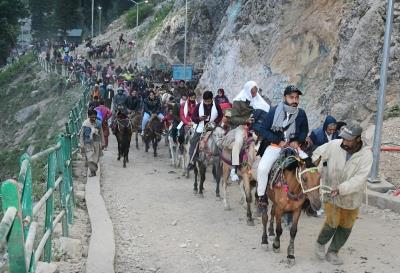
(376, 149)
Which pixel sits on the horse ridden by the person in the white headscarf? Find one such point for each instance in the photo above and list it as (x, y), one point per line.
(248, 157)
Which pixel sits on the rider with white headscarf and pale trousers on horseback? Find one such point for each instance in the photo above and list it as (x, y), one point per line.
(243, 105)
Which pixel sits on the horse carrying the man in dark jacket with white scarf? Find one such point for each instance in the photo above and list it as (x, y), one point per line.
(208, 155)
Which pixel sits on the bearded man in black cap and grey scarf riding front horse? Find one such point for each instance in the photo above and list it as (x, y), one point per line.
(285, 125)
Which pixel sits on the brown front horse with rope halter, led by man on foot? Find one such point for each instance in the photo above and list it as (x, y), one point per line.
(290, 183)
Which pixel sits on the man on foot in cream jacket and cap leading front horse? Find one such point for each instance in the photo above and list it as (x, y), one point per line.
(346, 164)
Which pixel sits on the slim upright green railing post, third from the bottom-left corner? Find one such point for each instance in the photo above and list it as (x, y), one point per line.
(51, 178)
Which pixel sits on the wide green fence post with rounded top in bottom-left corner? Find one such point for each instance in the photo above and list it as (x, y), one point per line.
(15, 241)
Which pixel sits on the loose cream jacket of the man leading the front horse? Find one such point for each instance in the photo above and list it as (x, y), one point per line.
(349, 177)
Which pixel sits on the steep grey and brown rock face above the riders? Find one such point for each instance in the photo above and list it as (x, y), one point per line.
(330, 49)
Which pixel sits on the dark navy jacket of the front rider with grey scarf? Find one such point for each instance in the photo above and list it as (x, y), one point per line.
(276, 137)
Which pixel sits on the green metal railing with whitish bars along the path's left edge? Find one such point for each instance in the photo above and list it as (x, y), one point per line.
(18, 227)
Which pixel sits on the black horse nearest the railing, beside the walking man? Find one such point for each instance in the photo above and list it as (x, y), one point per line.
(123, 129)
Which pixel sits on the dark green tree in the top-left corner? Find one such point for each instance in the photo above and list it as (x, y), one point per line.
(10, 12)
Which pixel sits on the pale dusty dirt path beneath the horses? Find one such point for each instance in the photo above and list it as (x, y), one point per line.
(160, 226)
